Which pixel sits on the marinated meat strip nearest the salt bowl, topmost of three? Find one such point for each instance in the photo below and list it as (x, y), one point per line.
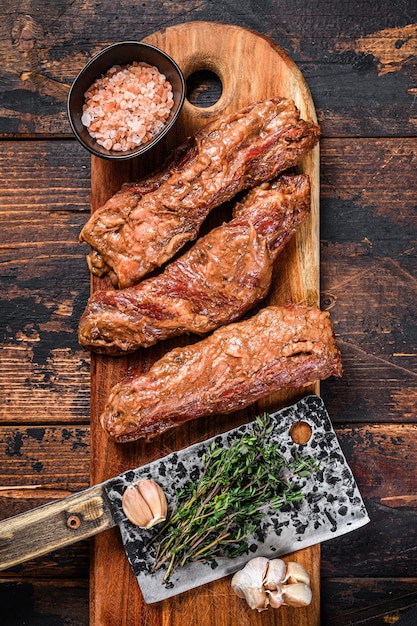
(146, 223)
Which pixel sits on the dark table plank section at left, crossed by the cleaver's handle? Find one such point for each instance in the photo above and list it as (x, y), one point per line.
(41, 464)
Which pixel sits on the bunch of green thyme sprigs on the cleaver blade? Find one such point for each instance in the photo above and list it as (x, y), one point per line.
(215, 516)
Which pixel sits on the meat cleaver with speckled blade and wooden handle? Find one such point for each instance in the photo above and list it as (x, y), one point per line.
(332, 506)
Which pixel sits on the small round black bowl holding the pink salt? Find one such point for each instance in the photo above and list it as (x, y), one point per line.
(121, 54)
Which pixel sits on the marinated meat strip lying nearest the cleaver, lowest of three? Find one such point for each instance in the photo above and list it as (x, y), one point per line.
(280, 347)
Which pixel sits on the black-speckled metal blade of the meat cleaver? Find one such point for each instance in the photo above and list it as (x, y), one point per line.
(332, 505)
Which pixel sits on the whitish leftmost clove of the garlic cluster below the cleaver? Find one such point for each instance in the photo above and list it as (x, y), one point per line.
(248, 583)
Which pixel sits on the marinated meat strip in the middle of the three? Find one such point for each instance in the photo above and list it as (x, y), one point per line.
(223, 275)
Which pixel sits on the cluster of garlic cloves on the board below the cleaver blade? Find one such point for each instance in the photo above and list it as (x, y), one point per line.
(274, 583)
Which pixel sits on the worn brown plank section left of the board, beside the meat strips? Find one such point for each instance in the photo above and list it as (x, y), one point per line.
(44, 195)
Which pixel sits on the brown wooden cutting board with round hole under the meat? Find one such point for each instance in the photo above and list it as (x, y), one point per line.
(250, 68)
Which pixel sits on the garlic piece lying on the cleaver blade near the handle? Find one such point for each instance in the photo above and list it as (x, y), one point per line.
(144, 503)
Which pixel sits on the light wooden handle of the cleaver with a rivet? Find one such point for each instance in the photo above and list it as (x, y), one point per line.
(54, 526)
